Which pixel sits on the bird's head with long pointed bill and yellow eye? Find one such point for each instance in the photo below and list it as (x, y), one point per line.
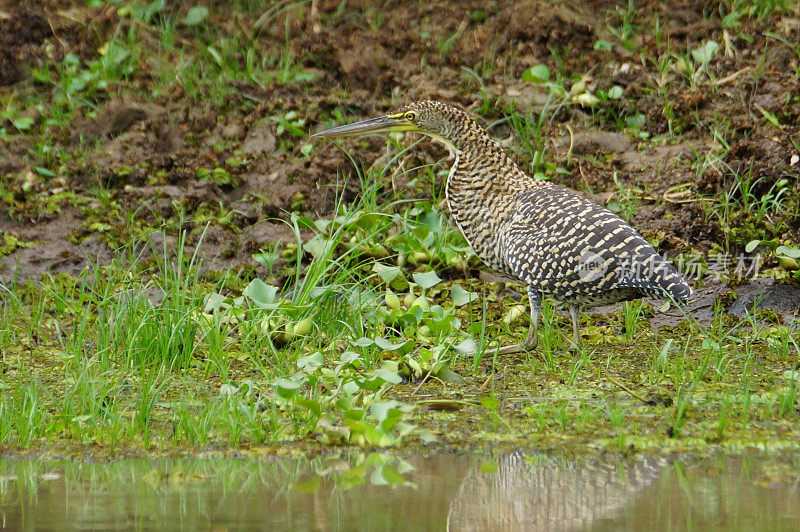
(437, 120)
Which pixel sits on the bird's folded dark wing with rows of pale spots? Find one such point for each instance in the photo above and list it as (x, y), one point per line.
(568, 246)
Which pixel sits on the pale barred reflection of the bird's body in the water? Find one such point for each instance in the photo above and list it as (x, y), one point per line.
(548, 493)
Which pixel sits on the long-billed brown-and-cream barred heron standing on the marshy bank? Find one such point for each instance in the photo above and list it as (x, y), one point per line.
(553, 240)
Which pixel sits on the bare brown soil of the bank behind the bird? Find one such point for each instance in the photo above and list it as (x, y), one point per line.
(146, 151)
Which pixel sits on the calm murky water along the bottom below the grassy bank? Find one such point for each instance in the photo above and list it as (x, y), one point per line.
(383, 492)
